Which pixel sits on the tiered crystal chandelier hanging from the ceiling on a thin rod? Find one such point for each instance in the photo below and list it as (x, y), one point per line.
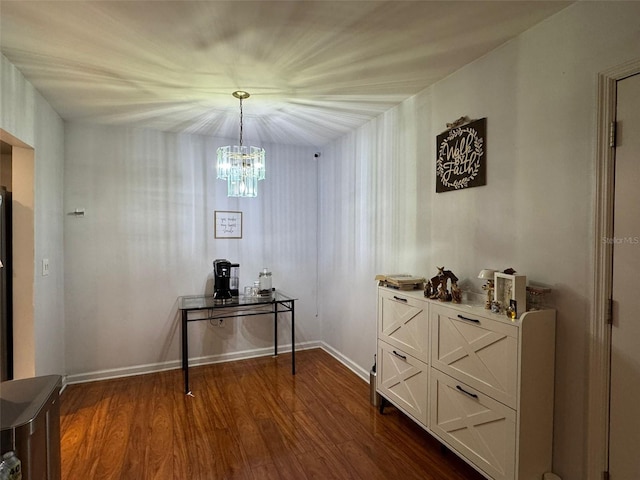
(239, 165)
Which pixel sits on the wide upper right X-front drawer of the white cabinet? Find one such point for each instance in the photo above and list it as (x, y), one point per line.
(478, 351)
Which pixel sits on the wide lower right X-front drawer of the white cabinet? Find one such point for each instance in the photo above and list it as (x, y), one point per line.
(478, 427)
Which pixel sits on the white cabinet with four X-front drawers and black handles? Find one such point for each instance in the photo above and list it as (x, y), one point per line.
(482, 383)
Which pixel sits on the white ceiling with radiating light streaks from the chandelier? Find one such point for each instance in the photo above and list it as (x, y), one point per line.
(315, 69)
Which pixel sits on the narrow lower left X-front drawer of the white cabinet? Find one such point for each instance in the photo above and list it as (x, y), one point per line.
(403, 380)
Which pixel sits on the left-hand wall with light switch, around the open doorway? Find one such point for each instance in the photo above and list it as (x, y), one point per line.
(31, 121)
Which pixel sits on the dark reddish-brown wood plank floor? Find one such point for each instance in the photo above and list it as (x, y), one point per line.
(249, 419)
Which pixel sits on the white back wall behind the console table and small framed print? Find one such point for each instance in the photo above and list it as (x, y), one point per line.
(147, 237)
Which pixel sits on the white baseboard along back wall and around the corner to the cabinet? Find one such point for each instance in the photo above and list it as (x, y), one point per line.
(175, 364)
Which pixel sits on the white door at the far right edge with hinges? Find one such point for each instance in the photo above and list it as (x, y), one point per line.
(624, 432)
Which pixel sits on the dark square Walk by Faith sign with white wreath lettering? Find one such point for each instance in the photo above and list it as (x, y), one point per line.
(461, 156)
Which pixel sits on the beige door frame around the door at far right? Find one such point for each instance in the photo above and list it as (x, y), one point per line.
(599, 329)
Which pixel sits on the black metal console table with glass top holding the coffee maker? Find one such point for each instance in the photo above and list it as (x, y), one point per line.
(242, 306)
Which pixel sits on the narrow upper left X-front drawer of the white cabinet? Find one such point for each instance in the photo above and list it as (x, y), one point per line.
(403, 321)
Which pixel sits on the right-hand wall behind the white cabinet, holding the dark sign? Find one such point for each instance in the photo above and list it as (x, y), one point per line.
(379, 212)
